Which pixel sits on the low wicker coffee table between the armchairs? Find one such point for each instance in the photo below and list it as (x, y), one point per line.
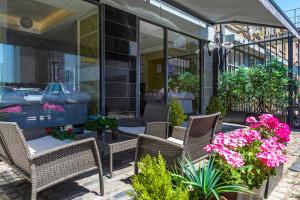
(111, 143)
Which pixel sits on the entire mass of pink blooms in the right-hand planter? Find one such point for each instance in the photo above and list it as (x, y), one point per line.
(269, 135)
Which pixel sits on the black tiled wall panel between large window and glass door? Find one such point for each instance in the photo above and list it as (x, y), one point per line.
(120, 62)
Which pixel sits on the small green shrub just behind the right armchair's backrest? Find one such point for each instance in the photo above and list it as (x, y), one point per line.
(216, 105)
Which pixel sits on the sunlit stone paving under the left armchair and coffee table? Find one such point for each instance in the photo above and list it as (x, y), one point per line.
(85, 187)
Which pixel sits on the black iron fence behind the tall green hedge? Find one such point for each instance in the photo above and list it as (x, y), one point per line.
(281, 47)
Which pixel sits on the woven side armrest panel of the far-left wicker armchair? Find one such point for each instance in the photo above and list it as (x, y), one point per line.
(64, 162)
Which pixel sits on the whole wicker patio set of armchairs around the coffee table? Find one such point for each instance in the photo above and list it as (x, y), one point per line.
(46, 161)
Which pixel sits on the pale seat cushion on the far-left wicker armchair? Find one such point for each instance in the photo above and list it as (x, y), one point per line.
(42, 144)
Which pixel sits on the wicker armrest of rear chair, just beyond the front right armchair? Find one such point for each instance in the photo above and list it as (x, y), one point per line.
(158, 129)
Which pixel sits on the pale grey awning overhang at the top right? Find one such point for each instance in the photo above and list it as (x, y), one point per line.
(254, 12)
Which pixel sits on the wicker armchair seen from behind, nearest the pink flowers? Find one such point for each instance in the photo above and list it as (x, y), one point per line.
(192, 140)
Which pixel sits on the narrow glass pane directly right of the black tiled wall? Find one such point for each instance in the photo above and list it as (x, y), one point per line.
(152, 64)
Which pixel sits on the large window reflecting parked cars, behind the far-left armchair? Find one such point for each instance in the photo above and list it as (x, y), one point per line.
(49, 66)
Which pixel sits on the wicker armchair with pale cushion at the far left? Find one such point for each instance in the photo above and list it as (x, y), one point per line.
(50, 167)
